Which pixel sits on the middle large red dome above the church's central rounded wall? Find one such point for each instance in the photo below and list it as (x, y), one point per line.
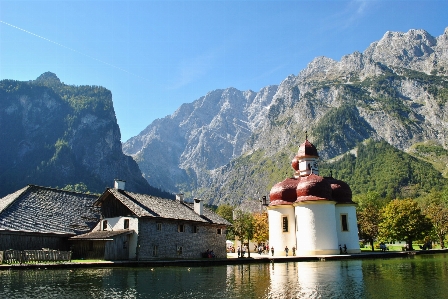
(313, 187)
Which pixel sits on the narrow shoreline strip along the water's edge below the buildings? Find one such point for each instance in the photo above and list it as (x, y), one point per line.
(232, 259)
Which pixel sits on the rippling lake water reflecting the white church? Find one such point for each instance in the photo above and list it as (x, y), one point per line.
(422, 276)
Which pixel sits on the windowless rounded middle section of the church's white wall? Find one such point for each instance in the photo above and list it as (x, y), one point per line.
(316, 231)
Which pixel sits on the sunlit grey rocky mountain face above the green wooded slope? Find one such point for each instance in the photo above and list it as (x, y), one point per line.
(396, 90)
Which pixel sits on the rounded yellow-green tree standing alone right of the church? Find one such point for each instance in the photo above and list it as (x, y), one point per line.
(404, 220)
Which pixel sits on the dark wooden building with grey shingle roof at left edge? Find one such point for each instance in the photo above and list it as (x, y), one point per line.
(37, 217)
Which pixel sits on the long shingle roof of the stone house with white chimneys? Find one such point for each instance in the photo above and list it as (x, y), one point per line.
(143, 205)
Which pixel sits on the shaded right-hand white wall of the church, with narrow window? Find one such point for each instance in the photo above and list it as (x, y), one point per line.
(350, 237)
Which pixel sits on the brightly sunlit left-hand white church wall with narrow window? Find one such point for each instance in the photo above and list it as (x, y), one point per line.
(277, 238)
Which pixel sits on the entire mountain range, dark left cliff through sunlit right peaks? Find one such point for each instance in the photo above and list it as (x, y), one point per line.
(378, 119)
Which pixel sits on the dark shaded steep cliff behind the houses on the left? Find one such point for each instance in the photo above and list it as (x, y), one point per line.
(55, 135)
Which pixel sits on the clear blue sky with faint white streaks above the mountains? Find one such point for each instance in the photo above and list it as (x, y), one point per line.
(156, 55)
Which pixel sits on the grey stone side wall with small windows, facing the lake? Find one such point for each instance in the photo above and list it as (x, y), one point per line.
(169, 240)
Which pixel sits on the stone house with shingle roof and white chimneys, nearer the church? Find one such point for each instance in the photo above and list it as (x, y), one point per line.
(144, 227)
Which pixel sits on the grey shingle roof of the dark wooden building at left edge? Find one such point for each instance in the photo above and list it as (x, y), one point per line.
(46, 210)
